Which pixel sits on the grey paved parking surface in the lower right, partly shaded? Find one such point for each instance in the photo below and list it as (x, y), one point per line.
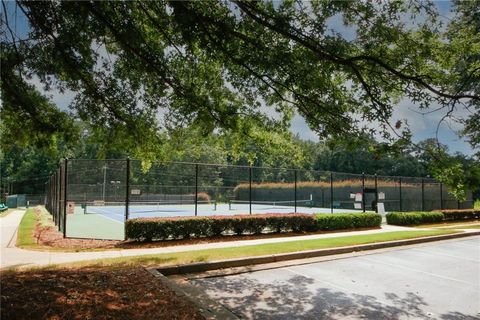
(434, 281)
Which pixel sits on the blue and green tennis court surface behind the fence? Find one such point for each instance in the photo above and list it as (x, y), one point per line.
(105, 220)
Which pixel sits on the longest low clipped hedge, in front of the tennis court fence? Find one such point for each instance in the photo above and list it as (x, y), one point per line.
(185, 227)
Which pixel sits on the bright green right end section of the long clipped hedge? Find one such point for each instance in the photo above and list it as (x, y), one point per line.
(347, 221)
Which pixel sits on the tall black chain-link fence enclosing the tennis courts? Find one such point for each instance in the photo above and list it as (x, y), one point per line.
(94, 198)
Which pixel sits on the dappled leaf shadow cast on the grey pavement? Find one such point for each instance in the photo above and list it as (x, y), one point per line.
(298, 298)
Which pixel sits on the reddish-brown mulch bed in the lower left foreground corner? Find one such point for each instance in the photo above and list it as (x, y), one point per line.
(90, 293)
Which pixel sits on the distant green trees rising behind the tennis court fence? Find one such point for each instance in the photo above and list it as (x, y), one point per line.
(31, 166)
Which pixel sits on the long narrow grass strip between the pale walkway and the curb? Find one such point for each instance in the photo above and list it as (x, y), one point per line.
(256, 250)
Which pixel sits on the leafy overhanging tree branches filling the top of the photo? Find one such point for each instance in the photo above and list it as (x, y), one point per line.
(142, 70)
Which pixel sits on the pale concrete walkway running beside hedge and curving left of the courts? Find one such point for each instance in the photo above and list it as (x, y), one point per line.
(12, 256)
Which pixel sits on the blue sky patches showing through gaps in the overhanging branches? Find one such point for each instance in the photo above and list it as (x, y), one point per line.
(423, 126)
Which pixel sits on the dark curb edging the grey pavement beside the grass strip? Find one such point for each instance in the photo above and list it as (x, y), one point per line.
(242, 262)
